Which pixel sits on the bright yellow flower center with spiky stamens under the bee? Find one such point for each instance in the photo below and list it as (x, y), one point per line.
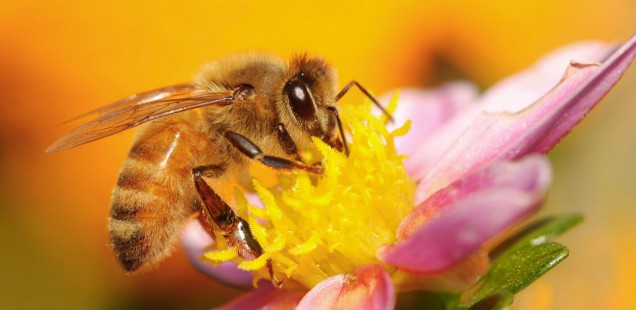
(317, 226)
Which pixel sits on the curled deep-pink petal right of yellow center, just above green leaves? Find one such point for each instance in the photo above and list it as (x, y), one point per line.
(477, 208)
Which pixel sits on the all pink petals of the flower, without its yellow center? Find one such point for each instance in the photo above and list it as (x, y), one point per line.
(479, 166)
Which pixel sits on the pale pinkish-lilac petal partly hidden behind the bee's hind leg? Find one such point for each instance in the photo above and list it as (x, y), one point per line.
(195, 241)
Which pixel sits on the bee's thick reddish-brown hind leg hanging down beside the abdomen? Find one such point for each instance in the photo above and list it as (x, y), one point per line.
(233, 227)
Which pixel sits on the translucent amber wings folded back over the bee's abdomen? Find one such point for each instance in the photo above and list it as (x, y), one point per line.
(136, 110)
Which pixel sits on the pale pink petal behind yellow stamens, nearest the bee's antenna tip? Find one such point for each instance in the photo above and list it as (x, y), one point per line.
(428, 110)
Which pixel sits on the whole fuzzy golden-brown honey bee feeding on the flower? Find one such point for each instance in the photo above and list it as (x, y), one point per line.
(238, 110)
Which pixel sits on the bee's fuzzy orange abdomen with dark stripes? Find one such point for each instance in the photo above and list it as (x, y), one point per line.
(155, 192)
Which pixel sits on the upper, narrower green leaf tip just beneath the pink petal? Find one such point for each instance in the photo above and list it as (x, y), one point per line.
(536, 233)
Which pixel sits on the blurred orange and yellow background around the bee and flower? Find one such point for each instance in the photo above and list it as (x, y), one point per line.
(61, 58)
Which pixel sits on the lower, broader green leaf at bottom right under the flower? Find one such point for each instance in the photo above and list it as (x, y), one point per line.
(517, 269)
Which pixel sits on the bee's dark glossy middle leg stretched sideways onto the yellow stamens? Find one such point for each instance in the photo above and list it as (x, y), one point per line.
(251, 150)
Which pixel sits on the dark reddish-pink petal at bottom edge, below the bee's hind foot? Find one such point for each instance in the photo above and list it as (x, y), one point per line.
(266, 297)
